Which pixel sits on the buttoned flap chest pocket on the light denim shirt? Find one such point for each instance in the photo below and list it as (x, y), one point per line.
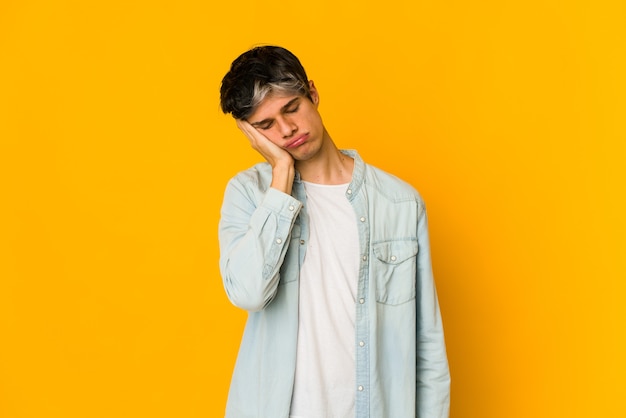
(394, 270)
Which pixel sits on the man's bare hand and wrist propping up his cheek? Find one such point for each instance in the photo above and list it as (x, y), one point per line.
(282, 162)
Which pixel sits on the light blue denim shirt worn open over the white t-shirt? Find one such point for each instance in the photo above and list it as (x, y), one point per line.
(401, 364)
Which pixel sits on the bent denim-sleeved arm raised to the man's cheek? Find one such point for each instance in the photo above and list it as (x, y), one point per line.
(254, 234)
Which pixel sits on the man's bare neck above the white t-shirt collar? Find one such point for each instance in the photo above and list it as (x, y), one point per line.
(329, 166)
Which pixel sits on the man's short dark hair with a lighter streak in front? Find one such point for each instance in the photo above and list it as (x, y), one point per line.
(257, 73)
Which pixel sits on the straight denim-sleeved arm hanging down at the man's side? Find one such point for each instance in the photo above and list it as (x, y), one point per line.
(433, 374)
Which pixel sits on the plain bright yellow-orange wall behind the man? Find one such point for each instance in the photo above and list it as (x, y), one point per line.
(508, 116)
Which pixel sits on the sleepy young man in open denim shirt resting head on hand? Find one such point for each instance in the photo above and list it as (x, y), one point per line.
(331, 258)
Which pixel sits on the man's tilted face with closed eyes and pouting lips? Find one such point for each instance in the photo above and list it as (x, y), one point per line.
(292, 122)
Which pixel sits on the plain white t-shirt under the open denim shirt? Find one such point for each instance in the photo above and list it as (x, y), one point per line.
(325, 359)
